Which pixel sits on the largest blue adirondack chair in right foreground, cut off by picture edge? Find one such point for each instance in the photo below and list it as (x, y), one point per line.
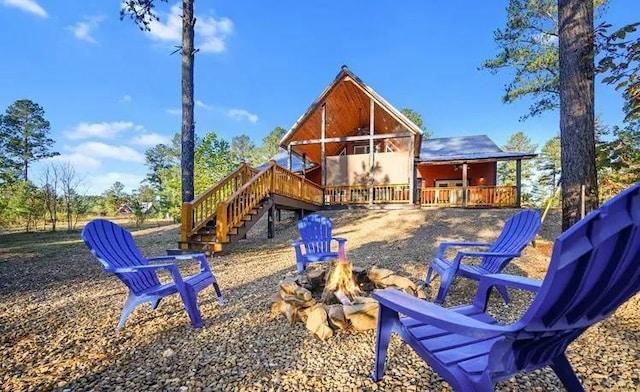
(595, 268)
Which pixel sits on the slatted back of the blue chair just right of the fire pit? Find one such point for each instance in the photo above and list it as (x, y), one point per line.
(518, 231)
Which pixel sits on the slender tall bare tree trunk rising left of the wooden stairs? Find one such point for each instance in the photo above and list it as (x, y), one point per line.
(188, 137)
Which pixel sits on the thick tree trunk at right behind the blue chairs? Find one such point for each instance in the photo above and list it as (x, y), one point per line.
(577, 128)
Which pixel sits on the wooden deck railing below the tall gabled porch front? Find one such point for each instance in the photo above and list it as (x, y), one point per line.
(359, 194)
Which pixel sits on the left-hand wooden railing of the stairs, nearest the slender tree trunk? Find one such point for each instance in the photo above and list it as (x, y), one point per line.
(197, 213)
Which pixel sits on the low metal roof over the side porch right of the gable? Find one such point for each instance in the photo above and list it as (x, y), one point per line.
(466, 148)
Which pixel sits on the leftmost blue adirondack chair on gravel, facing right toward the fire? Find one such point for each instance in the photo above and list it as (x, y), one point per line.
(114, 247)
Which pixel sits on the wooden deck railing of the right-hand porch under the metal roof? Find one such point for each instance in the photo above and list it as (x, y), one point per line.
(477, 196)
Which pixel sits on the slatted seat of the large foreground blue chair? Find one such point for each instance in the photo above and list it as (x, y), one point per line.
(469, 354)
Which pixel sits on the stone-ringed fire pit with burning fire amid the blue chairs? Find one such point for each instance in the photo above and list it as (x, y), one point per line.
(335, 296)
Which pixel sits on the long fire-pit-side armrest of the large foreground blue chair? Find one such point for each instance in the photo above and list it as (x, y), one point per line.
(437, 316)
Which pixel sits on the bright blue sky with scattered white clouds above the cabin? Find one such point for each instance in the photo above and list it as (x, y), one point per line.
(111, 91)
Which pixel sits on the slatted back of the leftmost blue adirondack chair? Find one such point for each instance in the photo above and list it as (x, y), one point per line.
(114, 247)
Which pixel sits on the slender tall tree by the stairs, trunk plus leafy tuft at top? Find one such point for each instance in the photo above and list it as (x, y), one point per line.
(142, 13)
